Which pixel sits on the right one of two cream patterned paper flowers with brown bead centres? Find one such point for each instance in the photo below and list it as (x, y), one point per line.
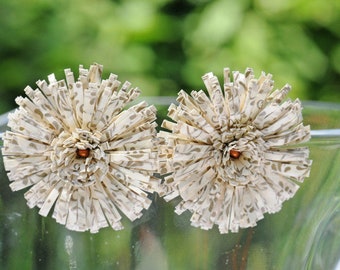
(231, 154)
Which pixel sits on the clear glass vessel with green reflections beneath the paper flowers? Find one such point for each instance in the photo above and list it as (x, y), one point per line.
(303, 235)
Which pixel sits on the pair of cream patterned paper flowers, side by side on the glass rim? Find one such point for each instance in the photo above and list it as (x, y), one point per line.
(229, 154)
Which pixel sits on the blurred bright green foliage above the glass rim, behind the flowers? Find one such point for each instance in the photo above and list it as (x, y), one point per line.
(163, 46)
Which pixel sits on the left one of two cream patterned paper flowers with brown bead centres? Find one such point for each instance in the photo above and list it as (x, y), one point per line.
(77, 148)
